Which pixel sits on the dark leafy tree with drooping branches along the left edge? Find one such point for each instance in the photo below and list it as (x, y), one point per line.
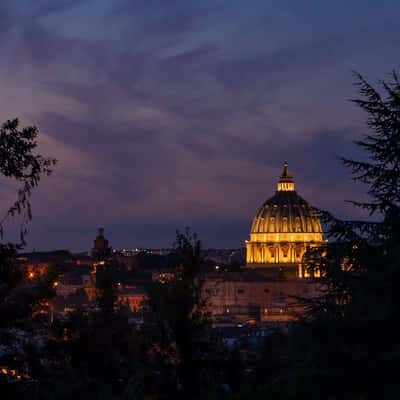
(21, 299)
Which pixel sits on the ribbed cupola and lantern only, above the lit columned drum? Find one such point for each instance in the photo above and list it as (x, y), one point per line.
(286, 211)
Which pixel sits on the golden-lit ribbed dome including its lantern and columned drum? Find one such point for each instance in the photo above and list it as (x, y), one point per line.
(284, 227)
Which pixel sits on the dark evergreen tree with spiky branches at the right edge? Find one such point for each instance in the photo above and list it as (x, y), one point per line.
(347, 345)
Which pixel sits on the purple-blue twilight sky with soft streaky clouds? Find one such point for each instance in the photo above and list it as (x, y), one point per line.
(172, 113)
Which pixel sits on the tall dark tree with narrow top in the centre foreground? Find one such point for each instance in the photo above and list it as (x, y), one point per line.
(179, 324)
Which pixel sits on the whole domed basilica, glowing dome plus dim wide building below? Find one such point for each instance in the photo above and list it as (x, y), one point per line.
(268, 287)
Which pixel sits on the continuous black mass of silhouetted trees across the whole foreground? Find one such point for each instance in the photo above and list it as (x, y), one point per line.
(345, 346)
